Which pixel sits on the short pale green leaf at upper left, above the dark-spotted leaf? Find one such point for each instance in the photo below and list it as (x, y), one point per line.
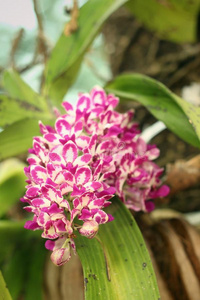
(18, 89)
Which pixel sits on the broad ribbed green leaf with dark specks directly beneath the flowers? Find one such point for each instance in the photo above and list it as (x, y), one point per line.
(117, 265)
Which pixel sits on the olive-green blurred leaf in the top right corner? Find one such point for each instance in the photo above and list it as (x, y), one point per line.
(174, 20)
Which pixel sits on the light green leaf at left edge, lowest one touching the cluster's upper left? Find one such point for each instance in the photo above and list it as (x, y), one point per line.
(18, 137)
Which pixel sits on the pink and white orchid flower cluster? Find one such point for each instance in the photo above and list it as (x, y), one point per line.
(93, 153)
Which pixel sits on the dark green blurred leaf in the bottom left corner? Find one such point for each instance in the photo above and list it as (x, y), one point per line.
(22, 256)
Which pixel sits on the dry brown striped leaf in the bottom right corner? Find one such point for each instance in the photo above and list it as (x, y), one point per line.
(175, 247)
